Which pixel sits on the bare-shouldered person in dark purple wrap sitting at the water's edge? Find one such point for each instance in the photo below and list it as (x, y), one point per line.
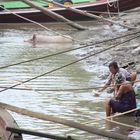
(124, 97)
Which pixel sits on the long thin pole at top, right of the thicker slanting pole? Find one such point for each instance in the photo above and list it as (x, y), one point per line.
(85, 13)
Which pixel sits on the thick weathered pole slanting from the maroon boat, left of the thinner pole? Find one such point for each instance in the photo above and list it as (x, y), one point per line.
(54, 15)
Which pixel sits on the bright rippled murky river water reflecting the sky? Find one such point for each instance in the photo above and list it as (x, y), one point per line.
(80, 106)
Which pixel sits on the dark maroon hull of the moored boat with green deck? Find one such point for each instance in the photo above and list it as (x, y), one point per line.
(36, 15)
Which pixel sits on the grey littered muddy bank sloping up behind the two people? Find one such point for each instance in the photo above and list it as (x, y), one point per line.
(124, 53)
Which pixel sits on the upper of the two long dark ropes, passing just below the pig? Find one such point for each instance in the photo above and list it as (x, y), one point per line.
(65, 51)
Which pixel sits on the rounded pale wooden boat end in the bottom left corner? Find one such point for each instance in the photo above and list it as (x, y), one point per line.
(7, 120)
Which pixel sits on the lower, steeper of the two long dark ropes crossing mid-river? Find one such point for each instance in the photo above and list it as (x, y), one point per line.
(61, 67)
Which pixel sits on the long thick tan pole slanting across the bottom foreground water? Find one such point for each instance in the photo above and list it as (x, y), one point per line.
(64, 122)
